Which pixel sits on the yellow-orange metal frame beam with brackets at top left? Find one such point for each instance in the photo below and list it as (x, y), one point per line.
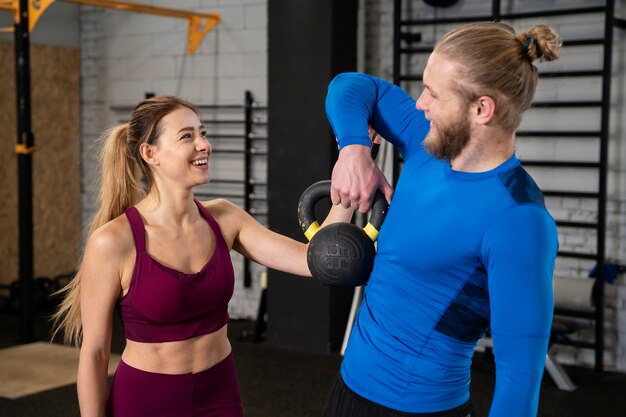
(199, 23)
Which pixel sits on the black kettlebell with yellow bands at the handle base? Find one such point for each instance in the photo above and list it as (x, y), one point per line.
(340, 253)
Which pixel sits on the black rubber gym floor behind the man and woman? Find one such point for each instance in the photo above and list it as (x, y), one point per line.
(277, 382)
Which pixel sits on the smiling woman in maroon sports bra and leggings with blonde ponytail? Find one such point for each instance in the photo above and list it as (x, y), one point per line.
(162, 259)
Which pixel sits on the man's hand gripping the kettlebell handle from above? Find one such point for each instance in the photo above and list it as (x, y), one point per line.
(355, 179)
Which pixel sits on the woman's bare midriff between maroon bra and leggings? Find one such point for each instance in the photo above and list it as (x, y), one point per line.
(181, 357)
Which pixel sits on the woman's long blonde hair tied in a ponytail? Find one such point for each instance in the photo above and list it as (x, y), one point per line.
(122, 172)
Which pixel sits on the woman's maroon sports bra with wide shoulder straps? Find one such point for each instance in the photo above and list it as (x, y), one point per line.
(166, 305)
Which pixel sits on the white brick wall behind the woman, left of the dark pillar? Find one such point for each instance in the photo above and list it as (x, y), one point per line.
(125, 55)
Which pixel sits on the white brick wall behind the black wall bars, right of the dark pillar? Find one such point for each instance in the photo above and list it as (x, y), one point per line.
(378, 61)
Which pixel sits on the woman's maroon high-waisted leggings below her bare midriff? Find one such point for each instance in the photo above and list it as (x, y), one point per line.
(210, 393)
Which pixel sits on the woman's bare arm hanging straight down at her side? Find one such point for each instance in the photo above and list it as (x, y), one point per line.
(100, 288)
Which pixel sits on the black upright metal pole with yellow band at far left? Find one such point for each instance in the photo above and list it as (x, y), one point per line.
(24, 149)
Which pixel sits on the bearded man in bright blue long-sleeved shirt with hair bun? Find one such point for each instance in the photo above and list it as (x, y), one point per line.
(467, 245)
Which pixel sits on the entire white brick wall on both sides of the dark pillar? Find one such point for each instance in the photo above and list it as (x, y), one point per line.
(125, 55)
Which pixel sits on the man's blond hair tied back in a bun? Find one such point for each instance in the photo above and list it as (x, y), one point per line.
(498, 62)
